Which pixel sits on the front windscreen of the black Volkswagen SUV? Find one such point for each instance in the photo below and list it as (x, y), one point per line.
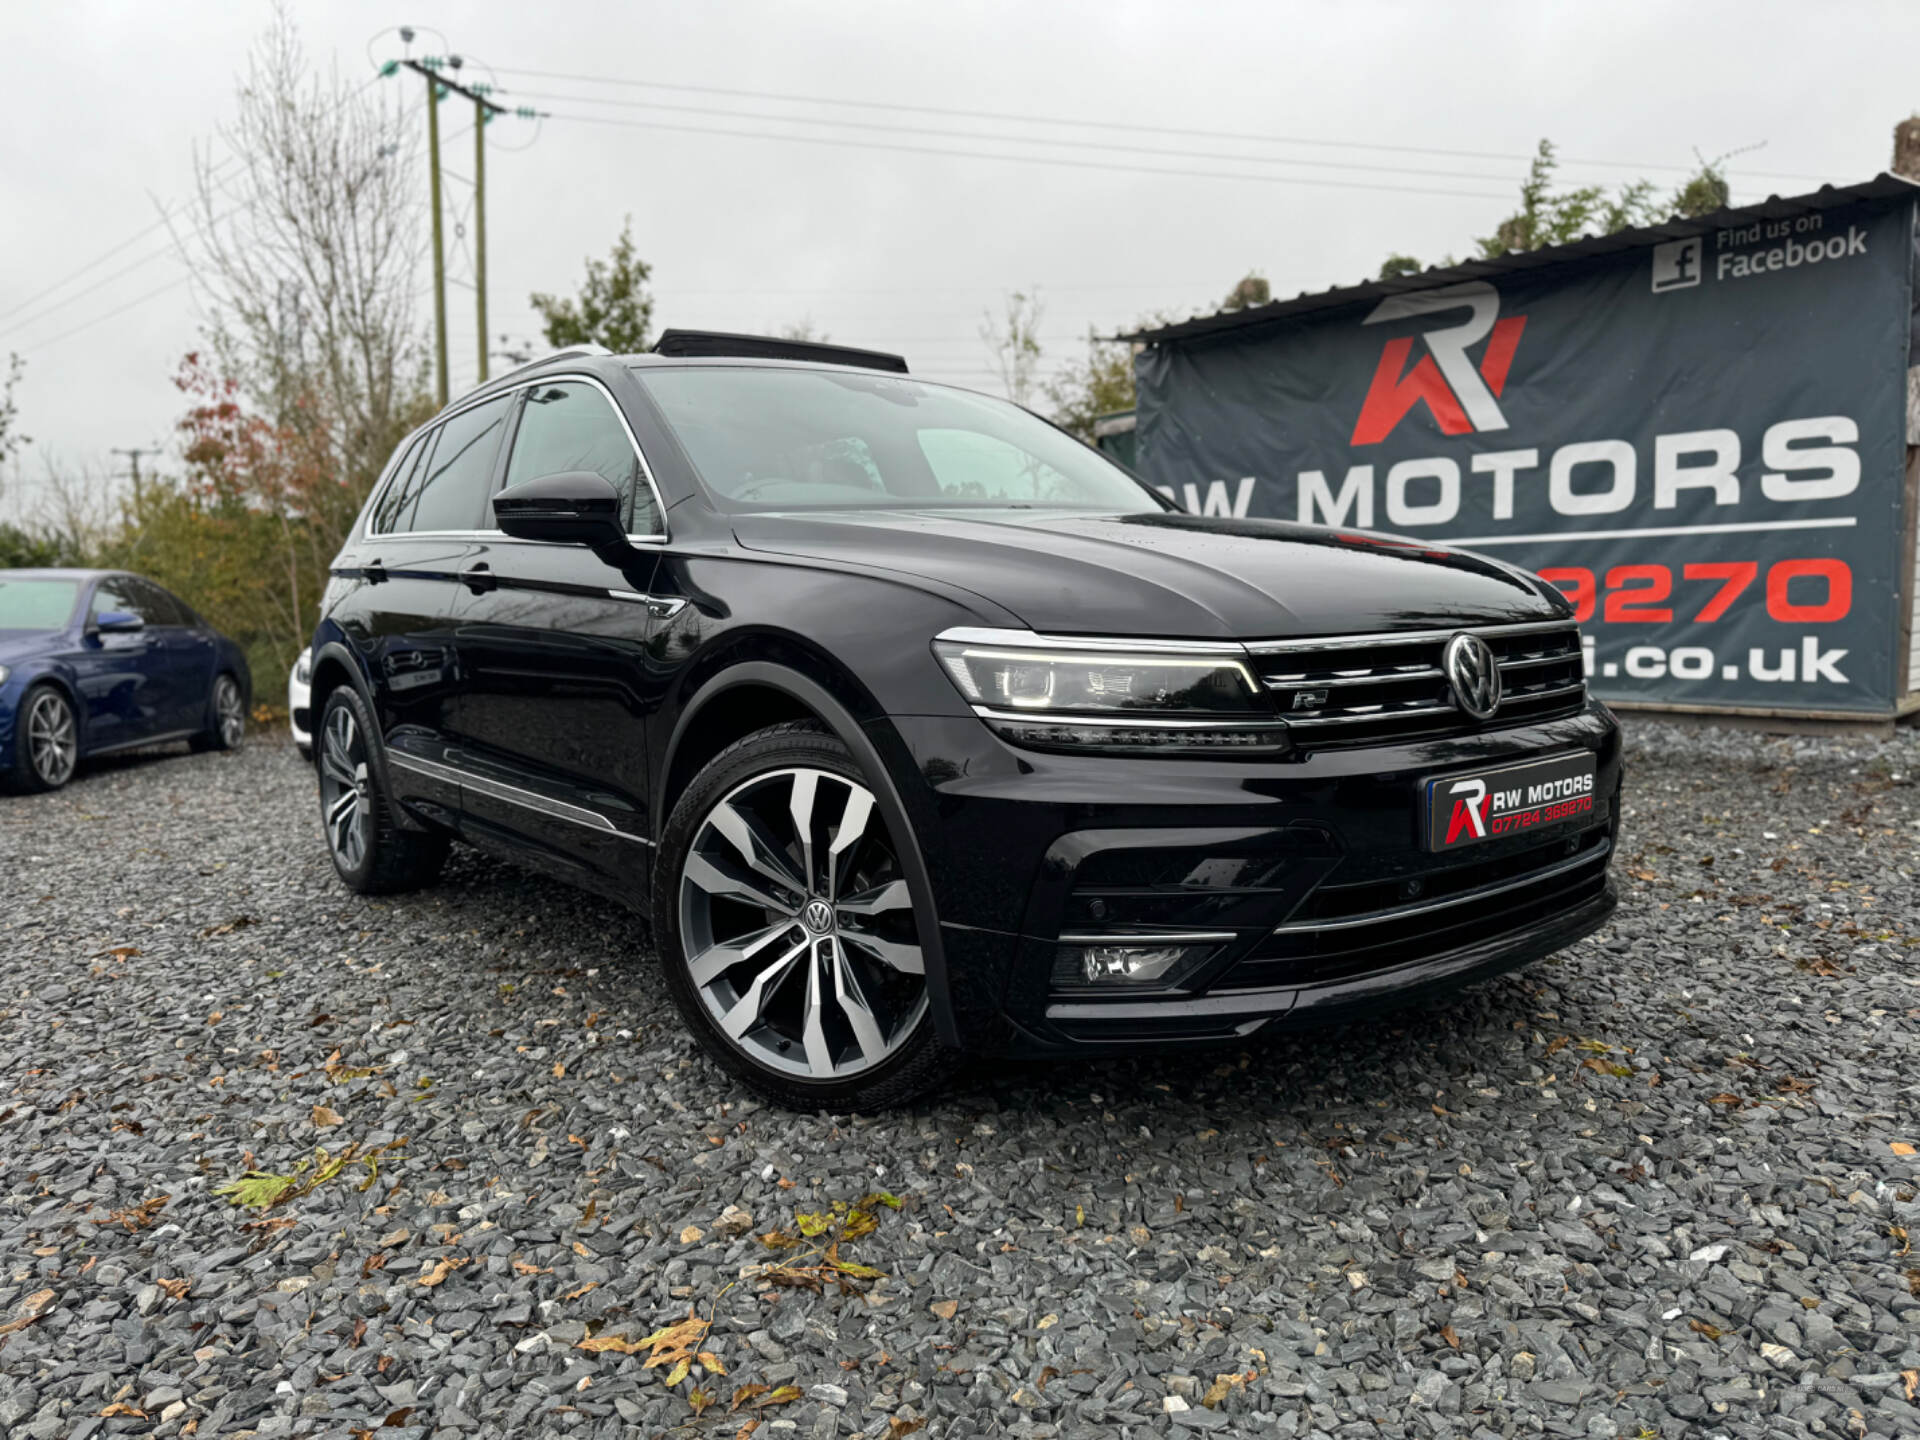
(773, 439)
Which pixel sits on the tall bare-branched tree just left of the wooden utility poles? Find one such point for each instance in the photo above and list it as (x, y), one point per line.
(306, 258)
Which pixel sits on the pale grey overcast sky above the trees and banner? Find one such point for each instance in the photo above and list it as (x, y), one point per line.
(1406, 128)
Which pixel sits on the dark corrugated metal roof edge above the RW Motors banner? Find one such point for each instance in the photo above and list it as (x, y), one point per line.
(1827, 197)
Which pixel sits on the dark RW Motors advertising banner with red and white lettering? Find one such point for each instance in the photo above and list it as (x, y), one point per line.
(1700, 443)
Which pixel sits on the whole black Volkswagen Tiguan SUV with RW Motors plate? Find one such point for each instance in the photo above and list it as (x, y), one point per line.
(919, 729)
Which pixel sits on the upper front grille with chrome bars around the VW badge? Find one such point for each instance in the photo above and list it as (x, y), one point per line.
(1364, 690)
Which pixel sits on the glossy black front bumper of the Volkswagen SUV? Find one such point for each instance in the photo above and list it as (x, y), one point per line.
(1308, 873)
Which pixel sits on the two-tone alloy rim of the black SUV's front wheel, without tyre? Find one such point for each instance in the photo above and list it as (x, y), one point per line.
(800, 928)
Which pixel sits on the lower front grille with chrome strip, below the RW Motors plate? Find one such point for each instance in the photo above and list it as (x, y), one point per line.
(1355, 930)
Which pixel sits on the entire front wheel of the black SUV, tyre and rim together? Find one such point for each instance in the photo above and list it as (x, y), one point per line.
(788, 928)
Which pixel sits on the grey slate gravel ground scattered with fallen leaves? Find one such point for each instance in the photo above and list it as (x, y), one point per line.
(1660, 1186)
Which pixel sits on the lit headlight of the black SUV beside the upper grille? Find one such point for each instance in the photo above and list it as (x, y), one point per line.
(1111, 696)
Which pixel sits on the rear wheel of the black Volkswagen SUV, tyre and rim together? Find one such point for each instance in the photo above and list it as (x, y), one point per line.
(372, 853)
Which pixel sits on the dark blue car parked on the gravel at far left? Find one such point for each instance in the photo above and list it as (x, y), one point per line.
(97, 661)
